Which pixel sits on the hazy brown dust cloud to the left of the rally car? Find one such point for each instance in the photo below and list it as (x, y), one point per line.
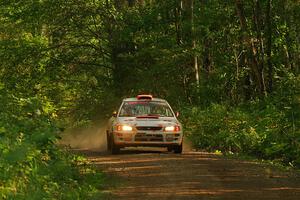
(91, 138)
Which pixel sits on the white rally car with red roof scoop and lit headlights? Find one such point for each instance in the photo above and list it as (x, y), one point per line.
(144, 121)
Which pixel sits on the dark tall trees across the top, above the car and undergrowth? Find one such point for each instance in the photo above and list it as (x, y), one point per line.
(232, 51)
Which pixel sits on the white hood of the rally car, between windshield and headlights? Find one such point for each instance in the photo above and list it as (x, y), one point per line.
(161, 121)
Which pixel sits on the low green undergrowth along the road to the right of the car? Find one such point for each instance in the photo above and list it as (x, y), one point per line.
(266, 128)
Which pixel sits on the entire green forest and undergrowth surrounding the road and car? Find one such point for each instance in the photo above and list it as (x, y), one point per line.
(230, 67)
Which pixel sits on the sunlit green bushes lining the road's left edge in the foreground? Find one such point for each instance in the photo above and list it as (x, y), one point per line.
(31, 165)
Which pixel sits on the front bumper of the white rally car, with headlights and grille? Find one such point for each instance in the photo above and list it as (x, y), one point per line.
(147, 138)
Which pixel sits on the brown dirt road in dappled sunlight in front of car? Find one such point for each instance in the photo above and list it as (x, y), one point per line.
(157, 174)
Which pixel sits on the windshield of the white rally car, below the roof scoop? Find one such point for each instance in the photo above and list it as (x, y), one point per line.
(145, 108)
